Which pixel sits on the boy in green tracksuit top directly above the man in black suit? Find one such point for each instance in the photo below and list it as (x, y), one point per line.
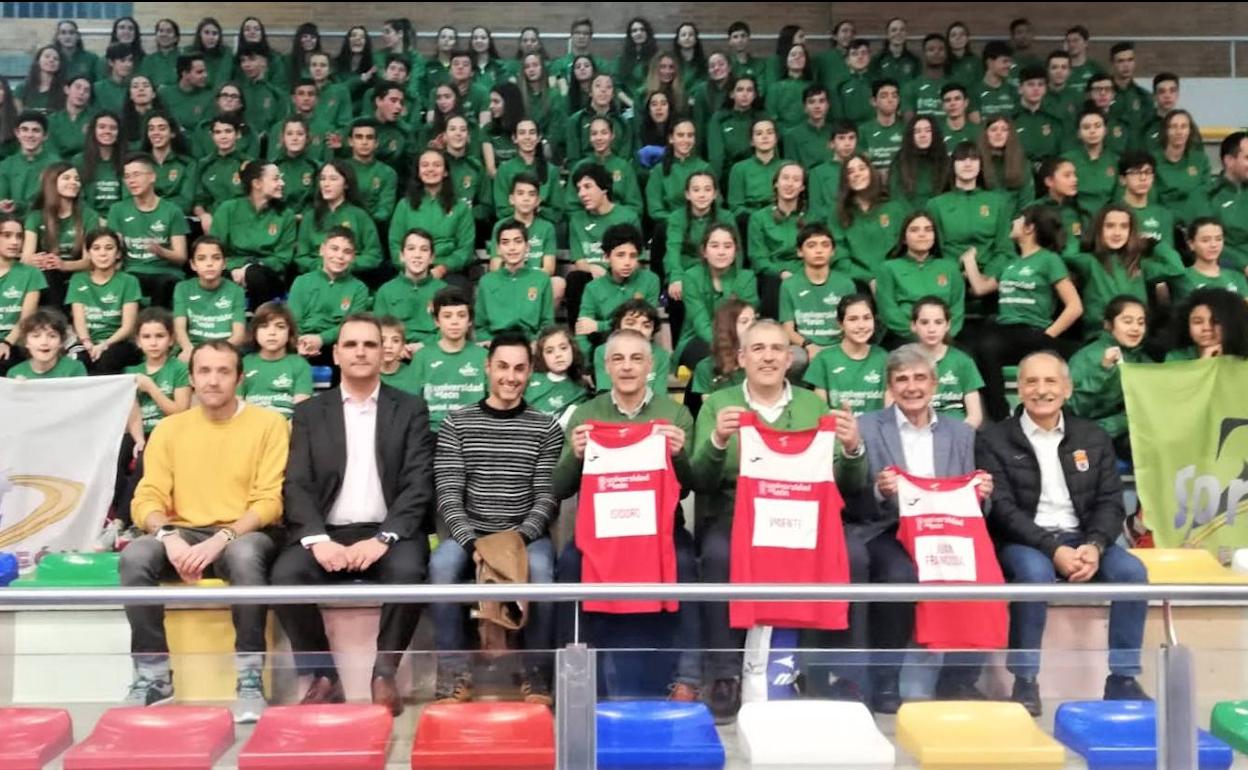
(321, 300)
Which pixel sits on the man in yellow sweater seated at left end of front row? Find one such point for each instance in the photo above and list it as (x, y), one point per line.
(212, 489)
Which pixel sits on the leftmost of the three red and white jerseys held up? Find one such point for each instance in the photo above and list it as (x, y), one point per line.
(627, 514)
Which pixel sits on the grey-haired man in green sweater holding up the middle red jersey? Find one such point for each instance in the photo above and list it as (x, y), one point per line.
(766, 356)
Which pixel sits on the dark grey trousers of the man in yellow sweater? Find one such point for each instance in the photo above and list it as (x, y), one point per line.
(245, 562)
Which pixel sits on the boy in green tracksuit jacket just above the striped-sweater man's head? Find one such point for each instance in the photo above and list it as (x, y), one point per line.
(515, 296)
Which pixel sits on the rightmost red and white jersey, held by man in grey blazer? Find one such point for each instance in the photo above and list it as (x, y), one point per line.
(943, 529)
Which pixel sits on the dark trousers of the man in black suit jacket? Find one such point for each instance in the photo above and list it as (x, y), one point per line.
(404, 565)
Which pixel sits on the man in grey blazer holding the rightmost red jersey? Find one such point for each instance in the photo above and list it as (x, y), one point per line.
(909, 436)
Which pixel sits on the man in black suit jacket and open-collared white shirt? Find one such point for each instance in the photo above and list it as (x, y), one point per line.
(358, 487)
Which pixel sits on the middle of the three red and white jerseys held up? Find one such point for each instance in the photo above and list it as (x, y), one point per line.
(787, 527)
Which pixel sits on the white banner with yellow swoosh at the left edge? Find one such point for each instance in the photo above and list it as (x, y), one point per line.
(59, 444)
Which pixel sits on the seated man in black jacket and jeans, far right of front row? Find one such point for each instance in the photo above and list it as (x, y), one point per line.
(1056, 512)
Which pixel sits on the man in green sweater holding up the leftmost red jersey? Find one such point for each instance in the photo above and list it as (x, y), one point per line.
(632, 400)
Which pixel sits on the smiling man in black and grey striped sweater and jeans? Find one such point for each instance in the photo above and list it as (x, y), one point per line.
(494, 471)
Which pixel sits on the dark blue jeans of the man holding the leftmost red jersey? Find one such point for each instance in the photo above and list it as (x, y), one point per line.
(650, 632)
